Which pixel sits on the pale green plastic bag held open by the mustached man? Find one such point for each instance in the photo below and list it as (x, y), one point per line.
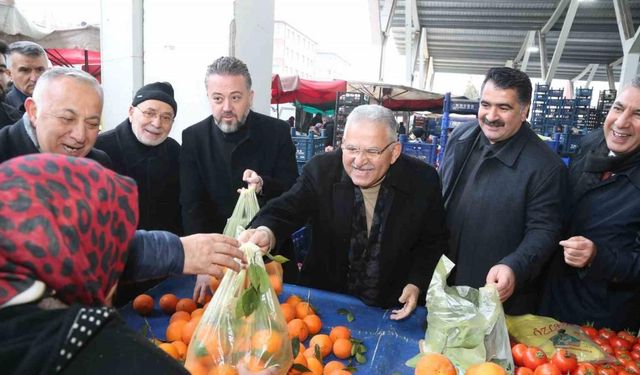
(465, 324)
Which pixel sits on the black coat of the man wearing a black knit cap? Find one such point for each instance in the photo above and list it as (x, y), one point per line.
(156, 171)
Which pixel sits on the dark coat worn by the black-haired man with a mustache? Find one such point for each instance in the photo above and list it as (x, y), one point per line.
(512, 216)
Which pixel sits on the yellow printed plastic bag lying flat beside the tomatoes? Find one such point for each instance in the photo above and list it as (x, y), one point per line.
(549, 334)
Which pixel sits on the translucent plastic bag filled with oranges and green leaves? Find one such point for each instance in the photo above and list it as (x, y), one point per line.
(243, 327)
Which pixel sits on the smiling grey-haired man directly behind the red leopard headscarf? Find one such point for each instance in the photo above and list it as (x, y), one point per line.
(62, 117)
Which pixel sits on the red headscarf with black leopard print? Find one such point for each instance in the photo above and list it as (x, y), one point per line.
(66, 222)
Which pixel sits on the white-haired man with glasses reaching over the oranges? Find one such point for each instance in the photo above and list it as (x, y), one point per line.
(377, 215)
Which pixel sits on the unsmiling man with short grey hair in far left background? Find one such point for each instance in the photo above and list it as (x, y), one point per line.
(27, 62)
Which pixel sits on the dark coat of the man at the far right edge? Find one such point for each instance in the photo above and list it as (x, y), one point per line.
(608, 213)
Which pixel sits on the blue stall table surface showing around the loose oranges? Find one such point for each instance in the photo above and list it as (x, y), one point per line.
(389, 343)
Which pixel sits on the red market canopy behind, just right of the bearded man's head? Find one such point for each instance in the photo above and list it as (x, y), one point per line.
(312, 96)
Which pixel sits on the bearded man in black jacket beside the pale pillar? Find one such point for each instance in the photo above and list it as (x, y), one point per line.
(232, 147)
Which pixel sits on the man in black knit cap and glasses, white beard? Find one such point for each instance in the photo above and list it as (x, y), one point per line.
(140, 147)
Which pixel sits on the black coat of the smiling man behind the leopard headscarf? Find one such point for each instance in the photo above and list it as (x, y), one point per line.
(14, 141)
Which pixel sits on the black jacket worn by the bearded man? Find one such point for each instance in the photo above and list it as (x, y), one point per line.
(208, 183)
